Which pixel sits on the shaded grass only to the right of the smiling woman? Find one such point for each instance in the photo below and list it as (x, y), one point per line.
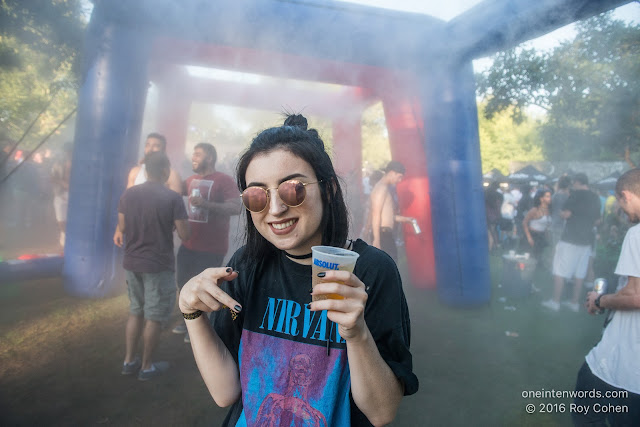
(472, 373)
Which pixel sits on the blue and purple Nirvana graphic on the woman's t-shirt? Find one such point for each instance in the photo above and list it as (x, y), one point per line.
(312, 384)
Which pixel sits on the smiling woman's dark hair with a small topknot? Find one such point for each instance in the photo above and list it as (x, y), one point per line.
(306, 144)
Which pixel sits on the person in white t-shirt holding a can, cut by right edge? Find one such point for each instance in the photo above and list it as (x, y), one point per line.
(608, 384)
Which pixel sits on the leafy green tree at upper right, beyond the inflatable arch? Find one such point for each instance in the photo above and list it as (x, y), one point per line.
(588, 86)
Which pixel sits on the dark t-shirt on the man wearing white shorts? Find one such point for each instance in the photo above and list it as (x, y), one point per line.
(584, 206)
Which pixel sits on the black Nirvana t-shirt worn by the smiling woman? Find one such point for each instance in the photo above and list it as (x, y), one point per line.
(280, 346)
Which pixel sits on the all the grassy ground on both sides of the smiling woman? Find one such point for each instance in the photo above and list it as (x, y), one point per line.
(60, 359)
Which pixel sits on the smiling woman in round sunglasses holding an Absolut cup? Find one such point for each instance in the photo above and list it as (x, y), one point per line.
(271, 353)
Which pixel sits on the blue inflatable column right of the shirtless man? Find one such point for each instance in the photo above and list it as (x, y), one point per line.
(455, 182)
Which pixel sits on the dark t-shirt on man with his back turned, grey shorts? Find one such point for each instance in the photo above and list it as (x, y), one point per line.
(150, 210)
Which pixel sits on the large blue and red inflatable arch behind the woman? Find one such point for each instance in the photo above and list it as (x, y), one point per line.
(419, 67)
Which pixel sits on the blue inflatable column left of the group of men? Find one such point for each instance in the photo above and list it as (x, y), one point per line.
(110, 109)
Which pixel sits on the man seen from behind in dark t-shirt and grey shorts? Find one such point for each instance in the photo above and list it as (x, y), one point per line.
(147, 214)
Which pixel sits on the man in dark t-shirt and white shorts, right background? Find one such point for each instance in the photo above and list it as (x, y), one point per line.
(571, 259)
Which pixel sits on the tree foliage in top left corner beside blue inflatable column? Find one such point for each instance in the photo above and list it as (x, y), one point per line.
(40, 42)
